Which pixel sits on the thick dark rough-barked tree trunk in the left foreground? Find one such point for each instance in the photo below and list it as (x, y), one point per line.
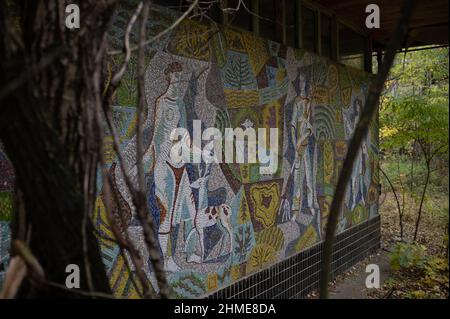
(49, 131)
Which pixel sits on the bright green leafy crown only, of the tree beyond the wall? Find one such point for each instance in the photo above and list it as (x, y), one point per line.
(415, 104)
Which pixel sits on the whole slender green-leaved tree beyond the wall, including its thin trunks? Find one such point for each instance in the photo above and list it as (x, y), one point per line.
(414, 125)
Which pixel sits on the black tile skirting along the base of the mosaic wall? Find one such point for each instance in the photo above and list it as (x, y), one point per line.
(298, 275)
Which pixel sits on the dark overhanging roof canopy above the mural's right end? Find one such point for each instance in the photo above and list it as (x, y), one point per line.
(428, 24)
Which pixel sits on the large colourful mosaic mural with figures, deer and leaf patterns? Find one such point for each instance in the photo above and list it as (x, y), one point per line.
(218, 223)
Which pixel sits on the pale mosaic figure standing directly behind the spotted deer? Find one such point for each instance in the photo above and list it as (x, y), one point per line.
(172, 186)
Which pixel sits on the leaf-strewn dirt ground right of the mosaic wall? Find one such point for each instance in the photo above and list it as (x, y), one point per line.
(432, 233)
